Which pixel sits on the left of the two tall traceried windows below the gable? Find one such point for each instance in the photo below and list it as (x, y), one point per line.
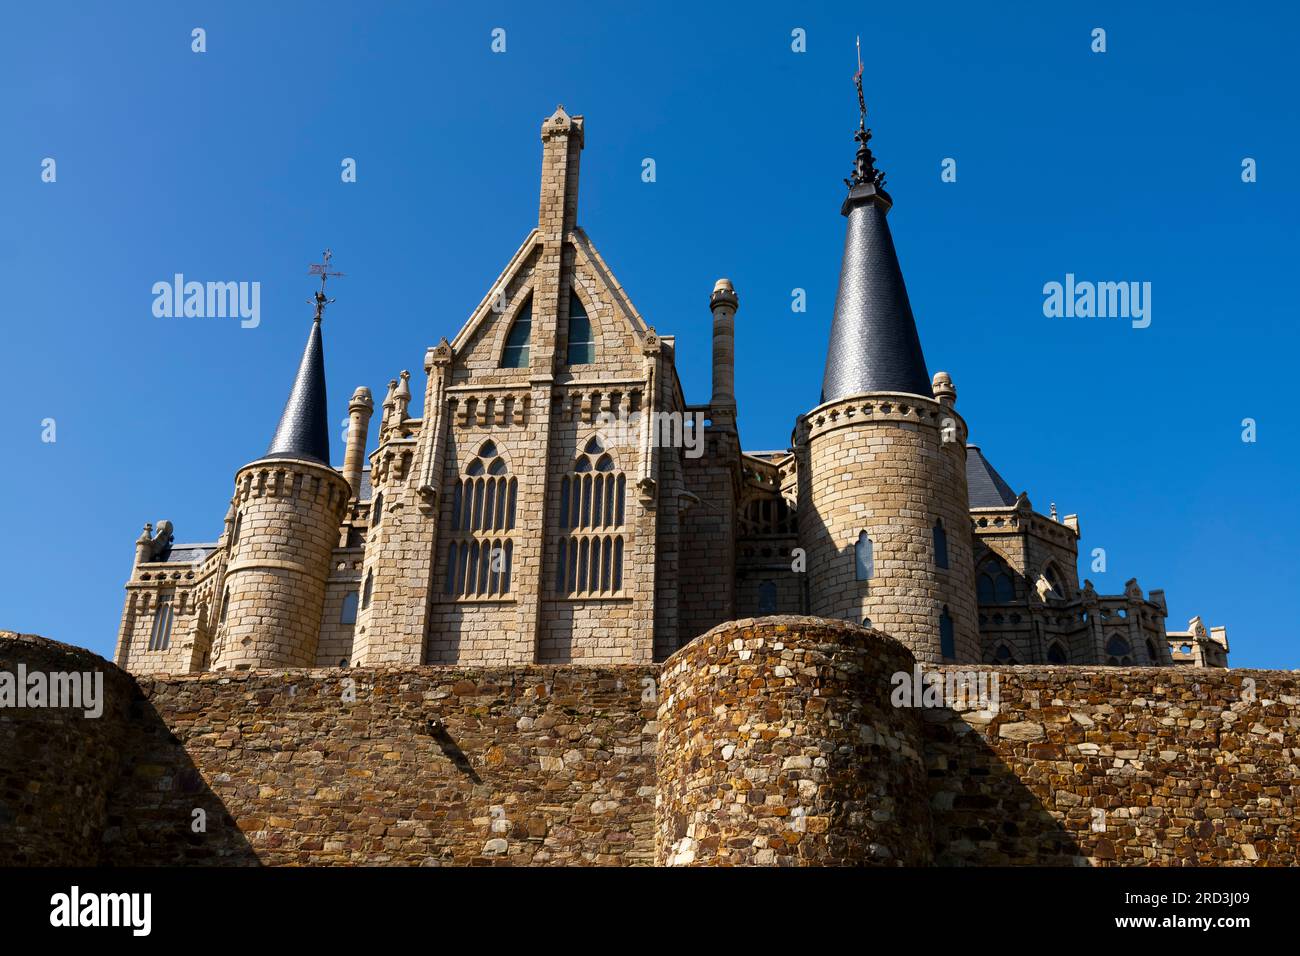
(480, 548)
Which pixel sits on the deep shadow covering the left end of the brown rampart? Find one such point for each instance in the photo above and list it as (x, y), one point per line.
(71, 777)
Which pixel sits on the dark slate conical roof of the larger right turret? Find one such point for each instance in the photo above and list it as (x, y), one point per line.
(874, 344)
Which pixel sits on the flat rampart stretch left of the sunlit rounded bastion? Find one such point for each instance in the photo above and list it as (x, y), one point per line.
(417, 767)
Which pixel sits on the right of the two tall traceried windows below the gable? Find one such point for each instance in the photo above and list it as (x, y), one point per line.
(590, 553)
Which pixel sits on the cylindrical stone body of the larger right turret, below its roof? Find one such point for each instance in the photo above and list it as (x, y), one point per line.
(890, 465)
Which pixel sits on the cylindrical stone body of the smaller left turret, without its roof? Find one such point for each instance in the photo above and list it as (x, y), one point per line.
(289, 516)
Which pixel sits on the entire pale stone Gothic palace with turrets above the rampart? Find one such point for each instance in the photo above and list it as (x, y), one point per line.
(561, 501)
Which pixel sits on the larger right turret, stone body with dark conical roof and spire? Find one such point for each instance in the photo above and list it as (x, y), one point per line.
(882, 461)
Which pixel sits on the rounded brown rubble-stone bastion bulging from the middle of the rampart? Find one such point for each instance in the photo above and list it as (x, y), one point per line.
(779, 746)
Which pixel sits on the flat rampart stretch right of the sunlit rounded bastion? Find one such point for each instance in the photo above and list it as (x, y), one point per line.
(1129, 767)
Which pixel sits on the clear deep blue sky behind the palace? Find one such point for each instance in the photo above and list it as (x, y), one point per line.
(1124, 166)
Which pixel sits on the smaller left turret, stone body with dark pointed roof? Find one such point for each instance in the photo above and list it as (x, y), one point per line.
(289, 505)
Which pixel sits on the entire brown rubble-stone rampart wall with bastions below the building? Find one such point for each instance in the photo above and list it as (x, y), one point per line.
(770, 741)
